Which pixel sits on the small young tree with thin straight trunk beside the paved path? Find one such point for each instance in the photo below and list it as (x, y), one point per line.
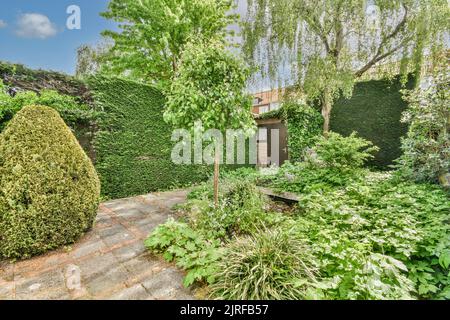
(209, 87)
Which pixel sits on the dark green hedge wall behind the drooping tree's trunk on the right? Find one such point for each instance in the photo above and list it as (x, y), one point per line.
(374, 111)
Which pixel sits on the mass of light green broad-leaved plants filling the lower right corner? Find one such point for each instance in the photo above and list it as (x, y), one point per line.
(379, 239)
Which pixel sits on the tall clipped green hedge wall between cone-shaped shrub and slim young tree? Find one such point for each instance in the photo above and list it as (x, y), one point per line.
(133, 143)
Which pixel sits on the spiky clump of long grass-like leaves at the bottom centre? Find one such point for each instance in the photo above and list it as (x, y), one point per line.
(270, 265)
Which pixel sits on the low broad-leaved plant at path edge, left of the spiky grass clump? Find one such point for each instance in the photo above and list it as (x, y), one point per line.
(191, 250)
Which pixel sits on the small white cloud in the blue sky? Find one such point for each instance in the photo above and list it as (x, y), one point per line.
(35, 25)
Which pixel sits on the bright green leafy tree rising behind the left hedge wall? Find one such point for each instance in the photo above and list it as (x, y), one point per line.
(152, 34)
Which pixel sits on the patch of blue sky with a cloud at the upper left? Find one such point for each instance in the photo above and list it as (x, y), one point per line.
(29, 38)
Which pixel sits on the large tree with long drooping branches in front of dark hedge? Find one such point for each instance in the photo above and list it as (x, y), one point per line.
(330, 44)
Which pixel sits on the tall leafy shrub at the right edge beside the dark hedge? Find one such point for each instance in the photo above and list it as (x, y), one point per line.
(426, 147)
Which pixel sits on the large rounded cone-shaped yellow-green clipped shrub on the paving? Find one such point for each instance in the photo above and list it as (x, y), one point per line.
(49, 190)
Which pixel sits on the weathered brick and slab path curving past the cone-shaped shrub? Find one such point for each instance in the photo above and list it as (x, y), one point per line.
(109, 262)
